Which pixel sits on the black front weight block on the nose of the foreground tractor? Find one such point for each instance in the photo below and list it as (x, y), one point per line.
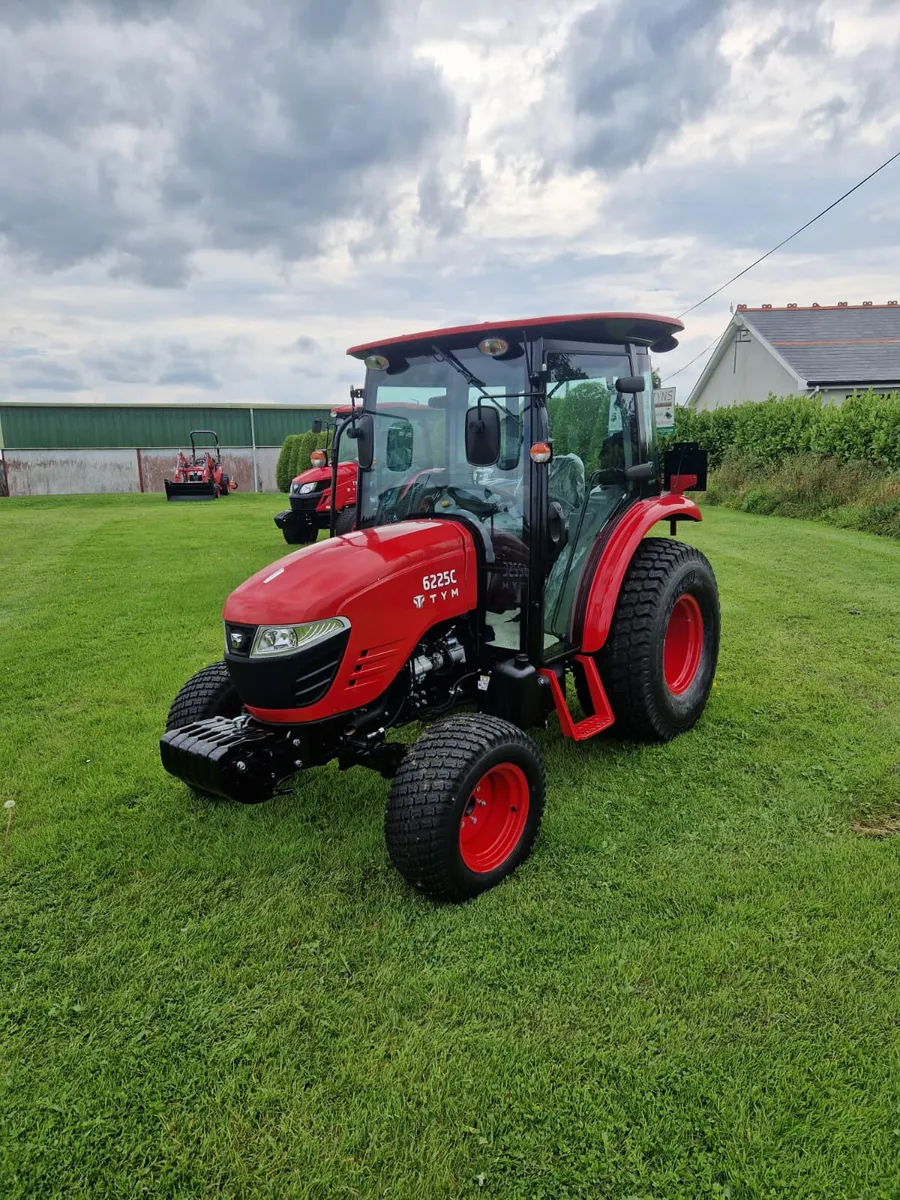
(238, 760)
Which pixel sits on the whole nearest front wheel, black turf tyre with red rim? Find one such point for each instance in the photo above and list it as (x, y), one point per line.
(431, 824)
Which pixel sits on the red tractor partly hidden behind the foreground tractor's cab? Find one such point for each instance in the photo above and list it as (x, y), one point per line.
(311, 495)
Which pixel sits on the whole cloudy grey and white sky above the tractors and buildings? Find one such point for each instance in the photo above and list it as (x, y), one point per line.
(211, 200)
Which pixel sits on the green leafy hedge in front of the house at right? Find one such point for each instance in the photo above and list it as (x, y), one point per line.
(863, 429)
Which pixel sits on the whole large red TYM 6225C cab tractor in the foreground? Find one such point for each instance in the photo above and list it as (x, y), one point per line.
(487, 572)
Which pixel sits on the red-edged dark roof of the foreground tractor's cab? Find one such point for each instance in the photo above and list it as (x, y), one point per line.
(609, 328)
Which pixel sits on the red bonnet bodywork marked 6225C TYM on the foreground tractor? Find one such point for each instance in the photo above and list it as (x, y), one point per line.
(393, 584)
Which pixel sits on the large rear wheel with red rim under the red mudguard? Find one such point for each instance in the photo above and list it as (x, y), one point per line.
(659, 661)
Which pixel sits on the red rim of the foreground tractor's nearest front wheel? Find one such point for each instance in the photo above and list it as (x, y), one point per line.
(495, 818)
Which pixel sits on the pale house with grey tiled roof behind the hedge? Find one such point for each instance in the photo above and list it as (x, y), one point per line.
(827, 351)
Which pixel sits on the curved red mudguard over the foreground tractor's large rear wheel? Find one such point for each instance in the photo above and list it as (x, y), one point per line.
(617, 556)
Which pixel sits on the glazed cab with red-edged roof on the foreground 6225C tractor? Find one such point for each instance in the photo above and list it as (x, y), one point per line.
(535, 435)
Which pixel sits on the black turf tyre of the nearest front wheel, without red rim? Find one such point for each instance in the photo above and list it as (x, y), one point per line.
(430, 794)
